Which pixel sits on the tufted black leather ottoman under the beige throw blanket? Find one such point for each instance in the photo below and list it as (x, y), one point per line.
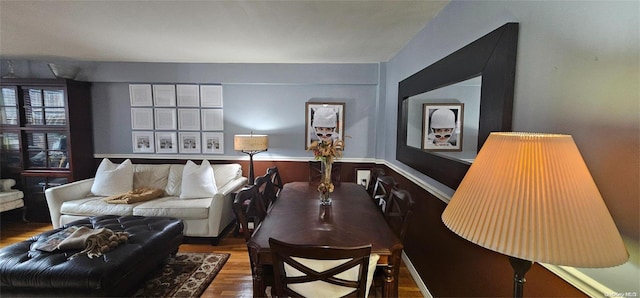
(26, 271)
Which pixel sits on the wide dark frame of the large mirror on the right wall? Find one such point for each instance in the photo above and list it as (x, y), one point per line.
(494, 57)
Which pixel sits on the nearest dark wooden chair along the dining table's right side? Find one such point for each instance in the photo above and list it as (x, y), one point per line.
(398, 211)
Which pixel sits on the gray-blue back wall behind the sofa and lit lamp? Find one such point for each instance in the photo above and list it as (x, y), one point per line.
(263, 98)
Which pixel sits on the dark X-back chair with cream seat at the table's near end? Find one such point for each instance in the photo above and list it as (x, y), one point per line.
(321, 271)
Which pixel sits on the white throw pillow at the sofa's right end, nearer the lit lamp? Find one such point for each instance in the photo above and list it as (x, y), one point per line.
(198, 181)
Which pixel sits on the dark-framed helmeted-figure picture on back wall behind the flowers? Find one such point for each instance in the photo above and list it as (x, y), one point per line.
(323, 122)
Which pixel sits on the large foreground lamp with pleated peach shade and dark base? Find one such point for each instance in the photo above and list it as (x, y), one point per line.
(531, 197)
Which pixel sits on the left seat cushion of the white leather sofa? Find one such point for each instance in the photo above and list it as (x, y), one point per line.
(95, 206)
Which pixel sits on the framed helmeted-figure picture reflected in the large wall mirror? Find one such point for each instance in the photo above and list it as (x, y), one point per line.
(442, 126)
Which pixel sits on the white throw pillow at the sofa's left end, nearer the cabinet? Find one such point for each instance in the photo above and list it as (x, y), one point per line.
(112, 179)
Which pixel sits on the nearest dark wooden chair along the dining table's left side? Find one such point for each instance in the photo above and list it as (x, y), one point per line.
(249, 210)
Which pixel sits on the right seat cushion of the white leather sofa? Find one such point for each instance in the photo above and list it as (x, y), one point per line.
(175, 207)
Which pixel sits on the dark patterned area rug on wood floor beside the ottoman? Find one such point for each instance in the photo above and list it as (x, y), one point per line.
(185, 275)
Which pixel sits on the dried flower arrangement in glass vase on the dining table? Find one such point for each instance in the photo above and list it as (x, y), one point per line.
(326, 153)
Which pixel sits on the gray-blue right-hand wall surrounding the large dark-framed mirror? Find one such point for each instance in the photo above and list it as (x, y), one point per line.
(577, 73)
